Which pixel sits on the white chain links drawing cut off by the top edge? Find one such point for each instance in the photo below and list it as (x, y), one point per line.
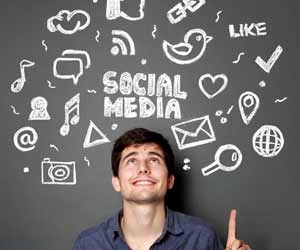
(179, 11)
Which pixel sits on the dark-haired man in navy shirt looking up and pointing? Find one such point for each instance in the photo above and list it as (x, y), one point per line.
(143, 172)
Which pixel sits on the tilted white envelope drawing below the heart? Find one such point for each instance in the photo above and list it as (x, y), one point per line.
(194, 132)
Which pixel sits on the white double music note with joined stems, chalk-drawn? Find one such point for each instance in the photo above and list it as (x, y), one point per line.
(72, 114)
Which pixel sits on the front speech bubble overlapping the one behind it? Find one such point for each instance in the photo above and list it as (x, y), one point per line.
(63, 62)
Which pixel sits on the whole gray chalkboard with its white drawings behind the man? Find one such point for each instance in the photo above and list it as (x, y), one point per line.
(219, 79)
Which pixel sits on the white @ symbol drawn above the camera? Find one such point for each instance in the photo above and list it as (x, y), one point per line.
(25, 139)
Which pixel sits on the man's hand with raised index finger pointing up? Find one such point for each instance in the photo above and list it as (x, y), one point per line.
(232, 242)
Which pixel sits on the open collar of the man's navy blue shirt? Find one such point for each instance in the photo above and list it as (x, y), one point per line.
(172, 225)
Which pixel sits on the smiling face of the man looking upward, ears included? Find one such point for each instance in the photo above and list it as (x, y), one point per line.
(143, 175)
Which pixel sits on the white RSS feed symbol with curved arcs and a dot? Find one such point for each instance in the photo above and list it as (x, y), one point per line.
(120, 45)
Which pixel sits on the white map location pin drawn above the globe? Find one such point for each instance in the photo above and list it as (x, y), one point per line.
(248, 104)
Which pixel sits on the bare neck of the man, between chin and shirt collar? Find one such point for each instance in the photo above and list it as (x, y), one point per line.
(143, 222)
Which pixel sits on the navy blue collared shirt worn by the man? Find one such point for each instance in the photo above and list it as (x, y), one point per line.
(181, 232)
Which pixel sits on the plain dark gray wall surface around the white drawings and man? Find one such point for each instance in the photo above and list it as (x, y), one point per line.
(264, 190)
